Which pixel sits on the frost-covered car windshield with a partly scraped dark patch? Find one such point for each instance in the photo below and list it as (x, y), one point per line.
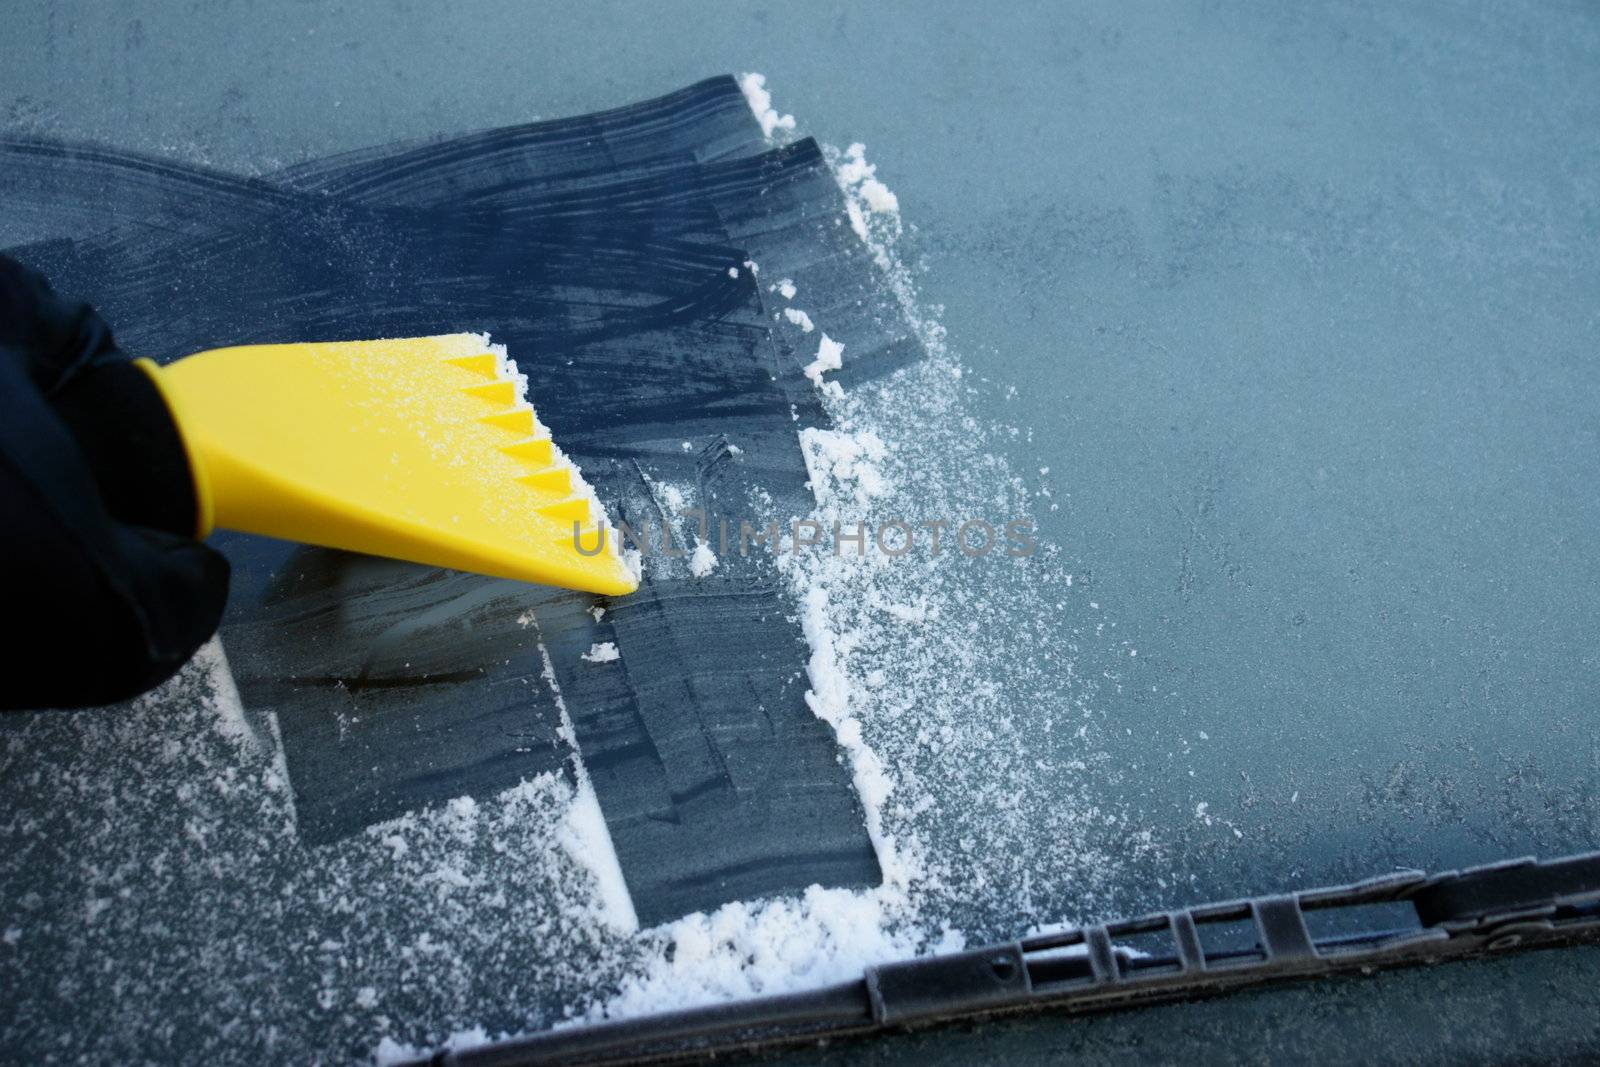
(1086, 463)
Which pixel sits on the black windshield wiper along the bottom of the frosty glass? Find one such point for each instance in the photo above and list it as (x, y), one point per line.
(1391, 921)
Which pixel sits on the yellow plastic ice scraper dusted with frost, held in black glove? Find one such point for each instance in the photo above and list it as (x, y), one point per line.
(420, 449)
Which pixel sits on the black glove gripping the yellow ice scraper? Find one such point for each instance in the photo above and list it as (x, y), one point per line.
(106, 589)
